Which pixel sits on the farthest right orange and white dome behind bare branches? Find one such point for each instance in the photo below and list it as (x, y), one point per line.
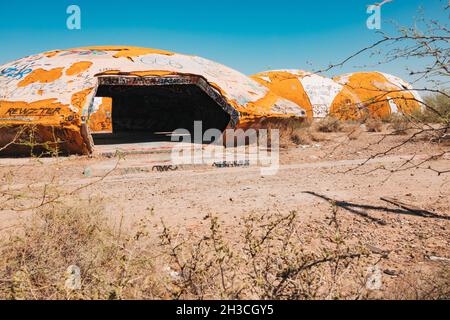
(381, 94)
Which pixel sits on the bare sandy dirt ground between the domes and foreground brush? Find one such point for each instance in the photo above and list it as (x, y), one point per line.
(308, 179)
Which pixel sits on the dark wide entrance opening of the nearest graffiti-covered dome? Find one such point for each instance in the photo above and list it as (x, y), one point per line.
(150, 109)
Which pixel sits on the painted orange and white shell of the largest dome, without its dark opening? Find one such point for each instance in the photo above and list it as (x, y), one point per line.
(55, 90)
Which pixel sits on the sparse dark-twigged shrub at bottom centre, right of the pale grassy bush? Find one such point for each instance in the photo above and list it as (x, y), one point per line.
(270, 262)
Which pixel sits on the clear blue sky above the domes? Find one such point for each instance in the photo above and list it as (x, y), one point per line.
(248, 35)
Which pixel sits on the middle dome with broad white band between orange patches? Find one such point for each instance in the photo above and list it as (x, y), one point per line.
(320, 96)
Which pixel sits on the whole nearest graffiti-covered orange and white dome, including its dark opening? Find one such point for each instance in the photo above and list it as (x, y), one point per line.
(66, 95)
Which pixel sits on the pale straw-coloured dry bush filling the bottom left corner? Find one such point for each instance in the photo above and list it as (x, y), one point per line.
(34, 263)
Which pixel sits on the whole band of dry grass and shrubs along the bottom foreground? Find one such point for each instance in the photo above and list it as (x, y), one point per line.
(268, 261)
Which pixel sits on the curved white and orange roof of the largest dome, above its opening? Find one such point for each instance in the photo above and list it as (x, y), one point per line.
(67, 79)
